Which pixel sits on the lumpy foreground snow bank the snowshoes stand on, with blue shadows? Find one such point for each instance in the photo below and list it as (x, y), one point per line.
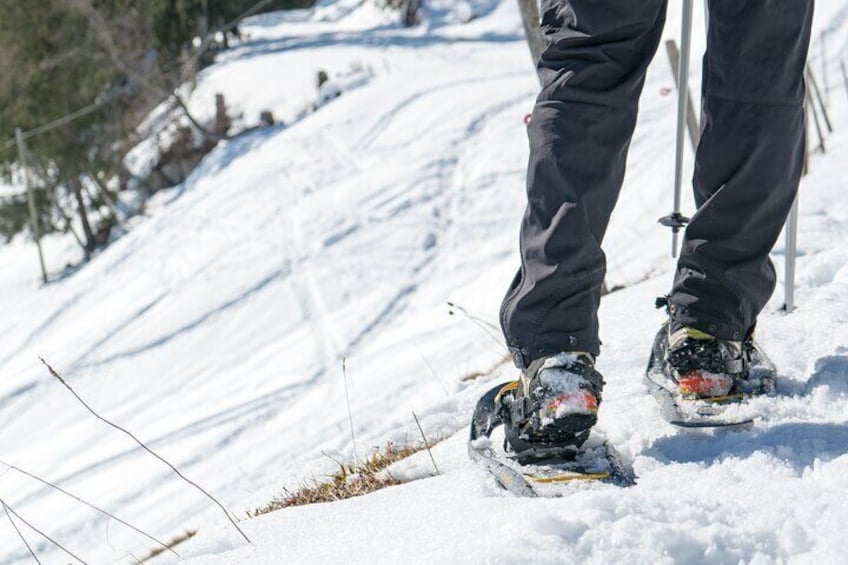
(771, 493)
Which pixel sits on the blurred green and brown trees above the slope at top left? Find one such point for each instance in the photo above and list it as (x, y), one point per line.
(77, 78)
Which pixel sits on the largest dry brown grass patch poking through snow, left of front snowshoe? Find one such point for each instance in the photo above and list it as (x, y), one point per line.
(349, 481)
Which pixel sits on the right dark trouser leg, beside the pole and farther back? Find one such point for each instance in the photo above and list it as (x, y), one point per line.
(748, 163)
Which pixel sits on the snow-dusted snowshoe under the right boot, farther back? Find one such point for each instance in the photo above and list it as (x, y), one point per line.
(729, 410)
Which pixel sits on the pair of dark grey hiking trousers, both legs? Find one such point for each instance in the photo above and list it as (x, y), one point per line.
(748, 165)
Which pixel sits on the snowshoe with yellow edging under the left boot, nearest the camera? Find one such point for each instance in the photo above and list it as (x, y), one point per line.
(544, 472)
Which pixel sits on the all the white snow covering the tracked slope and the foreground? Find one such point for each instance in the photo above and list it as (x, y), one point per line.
(216, 328)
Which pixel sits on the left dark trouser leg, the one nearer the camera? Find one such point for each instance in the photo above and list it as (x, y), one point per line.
(593, 70)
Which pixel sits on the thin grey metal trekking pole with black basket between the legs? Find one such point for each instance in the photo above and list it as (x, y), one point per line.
(676, 220)
